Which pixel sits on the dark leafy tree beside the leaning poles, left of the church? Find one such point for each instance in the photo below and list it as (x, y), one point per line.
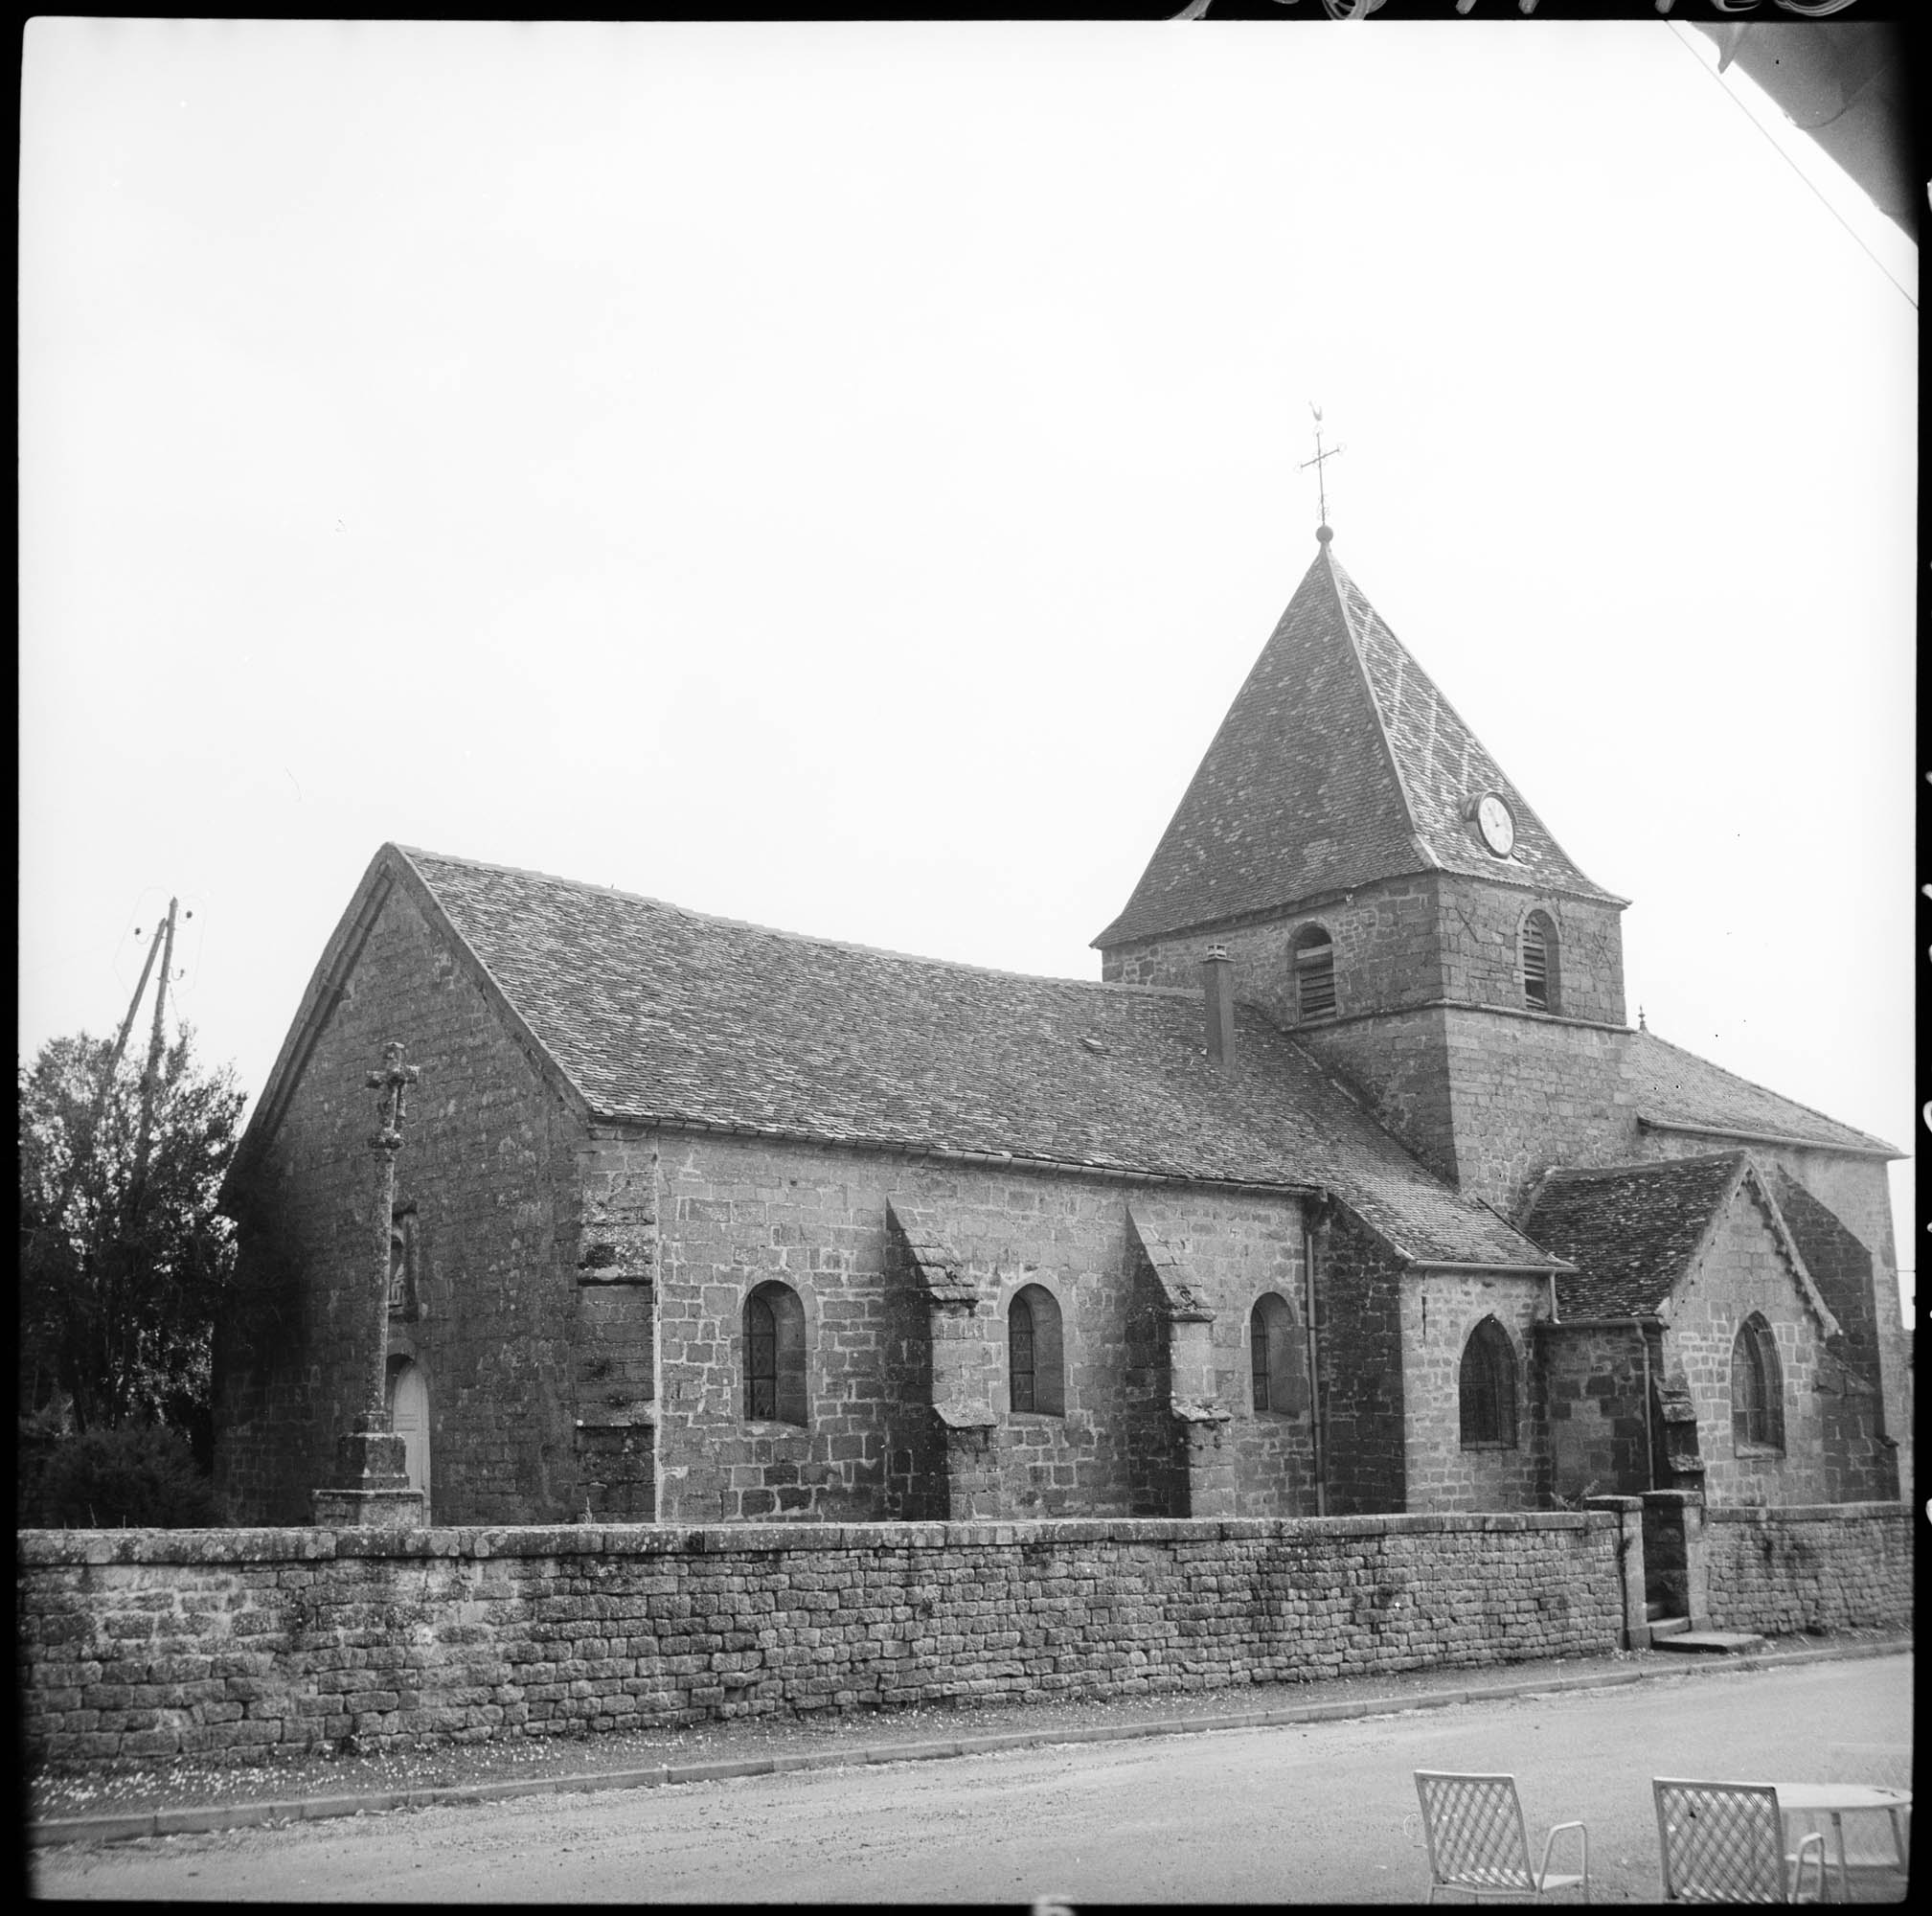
(123, 1264)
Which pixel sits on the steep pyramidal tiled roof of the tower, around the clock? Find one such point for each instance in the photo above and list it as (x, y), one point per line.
(1338, 764)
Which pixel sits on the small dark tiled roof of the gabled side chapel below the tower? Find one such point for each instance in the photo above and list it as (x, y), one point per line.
(1630, 1231)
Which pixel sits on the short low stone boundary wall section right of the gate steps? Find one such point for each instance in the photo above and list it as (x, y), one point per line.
(1809, 1567)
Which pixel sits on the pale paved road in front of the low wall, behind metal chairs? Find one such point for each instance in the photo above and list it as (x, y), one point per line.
(1301, 1815)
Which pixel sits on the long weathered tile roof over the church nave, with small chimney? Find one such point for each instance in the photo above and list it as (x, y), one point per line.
(660, 1015)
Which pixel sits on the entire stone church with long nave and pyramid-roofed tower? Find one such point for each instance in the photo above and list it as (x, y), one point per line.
(1348, 1189)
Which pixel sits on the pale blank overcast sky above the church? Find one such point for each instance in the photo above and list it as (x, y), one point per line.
(839, 478)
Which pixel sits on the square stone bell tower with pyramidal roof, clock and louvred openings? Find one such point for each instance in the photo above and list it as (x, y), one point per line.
(1390, 897)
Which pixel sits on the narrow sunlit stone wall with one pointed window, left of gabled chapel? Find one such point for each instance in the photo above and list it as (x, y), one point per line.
(1440, 1310)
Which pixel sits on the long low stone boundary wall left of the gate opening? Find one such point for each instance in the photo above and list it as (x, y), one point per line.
(239, 1645)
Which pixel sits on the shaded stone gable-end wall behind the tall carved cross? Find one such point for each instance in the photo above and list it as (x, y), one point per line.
(488, 1162)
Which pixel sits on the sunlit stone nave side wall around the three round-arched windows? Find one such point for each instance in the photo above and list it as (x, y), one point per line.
(739, 1212)
